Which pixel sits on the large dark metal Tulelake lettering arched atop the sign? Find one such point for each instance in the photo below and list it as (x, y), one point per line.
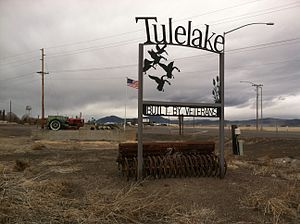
(181, 35)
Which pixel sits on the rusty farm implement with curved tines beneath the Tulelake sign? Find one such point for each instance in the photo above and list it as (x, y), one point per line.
(171, 159)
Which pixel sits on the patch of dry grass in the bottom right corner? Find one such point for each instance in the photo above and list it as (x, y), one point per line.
(284, 205)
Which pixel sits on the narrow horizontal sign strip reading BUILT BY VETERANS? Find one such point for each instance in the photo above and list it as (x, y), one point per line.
(160, 110)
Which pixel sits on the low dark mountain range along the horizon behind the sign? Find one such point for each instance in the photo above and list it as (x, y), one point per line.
(162, 120)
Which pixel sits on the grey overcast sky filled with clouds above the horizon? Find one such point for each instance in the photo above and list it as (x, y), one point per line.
(92, 46)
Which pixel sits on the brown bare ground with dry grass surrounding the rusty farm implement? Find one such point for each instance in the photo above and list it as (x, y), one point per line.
(45, 181)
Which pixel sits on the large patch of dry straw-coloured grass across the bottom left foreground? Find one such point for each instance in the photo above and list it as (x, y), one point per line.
(35, 200)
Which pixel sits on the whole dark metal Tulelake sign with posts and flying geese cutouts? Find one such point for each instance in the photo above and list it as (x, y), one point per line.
(184, 35)
